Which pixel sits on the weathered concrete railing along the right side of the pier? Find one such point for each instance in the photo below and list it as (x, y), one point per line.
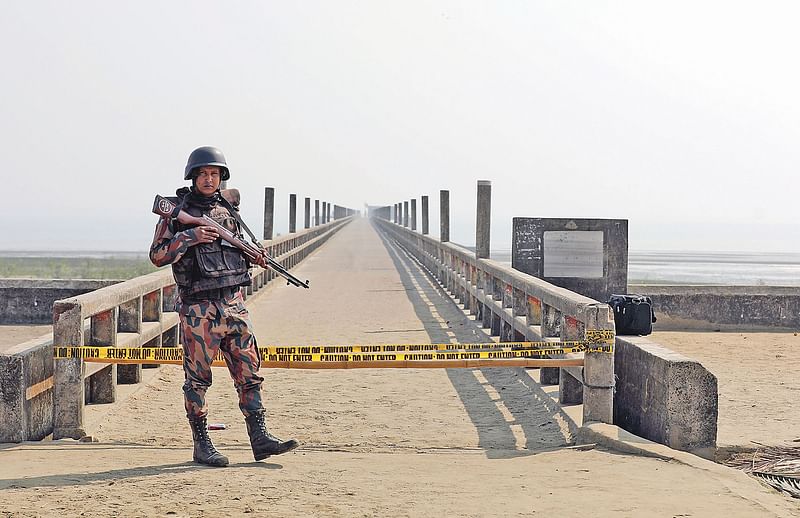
(517, 306)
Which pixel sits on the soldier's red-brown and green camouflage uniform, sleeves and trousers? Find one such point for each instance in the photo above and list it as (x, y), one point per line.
(212, 312)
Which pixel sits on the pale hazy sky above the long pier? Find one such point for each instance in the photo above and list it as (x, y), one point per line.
(683, 117)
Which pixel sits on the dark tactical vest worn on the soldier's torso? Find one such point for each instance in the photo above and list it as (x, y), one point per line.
(210, 266)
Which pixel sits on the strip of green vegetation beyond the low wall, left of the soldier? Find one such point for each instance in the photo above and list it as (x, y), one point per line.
(74, 267)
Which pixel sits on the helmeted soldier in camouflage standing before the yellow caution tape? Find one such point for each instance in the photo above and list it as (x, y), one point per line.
(209, 274)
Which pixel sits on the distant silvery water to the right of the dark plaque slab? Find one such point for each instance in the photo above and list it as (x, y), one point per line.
(722, 268)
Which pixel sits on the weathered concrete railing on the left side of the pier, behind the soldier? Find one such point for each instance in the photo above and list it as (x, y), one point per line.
(138, 313)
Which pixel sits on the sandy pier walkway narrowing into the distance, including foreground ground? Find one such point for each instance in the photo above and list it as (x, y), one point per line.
(390, 442)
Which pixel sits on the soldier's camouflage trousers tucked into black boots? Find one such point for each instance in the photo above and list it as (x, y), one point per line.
(213, 326)
